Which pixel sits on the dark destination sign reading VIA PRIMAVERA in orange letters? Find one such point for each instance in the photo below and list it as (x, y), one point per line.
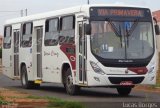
(119, 12)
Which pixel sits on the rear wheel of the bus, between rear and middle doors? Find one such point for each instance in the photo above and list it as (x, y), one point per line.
(24, 80)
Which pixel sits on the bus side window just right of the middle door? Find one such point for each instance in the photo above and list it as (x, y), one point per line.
(51, 32)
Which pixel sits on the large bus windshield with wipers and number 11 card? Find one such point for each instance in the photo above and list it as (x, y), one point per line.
(122, 39)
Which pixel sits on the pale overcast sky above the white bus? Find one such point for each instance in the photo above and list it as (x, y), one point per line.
(11, 8)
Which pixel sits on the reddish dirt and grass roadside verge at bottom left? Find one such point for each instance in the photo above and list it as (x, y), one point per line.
(14, 99)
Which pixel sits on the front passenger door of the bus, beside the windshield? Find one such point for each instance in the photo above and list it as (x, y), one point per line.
(82, 54)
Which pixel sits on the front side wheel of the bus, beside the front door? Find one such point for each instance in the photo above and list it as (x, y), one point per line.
(71, 89)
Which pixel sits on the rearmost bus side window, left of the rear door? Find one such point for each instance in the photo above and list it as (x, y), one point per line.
(7, 37)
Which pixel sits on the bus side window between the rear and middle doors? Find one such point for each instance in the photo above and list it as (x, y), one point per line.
(27, 35)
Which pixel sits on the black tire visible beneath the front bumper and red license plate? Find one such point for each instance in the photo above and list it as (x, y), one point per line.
(124, 91)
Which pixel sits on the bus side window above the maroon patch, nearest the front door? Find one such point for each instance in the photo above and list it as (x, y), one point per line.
(67, 33)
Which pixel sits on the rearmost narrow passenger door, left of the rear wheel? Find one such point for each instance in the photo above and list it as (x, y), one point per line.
(16, 53)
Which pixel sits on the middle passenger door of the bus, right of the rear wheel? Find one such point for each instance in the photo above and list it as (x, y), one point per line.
(37, 51)
